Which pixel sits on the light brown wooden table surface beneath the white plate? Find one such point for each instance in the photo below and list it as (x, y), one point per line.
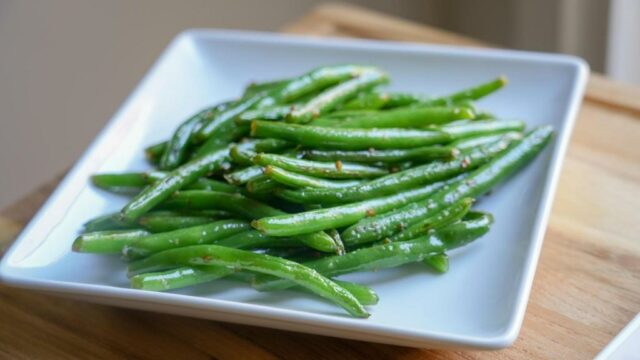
(586, 289)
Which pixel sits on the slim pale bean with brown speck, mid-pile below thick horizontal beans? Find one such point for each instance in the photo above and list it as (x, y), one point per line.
(333, 170)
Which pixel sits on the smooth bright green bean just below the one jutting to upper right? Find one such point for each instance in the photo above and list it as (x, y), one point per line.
(406, 118)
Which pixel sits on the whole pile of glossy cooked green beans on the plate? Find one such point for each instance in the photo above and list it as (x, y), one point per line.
(304, 179)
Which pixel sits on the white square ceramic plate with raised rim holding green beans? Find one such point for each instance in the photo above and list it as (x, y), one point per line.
(479, 303)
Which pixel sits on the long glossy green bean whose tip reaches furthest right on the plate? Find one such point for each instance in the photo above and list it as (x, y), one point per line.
(479, 182)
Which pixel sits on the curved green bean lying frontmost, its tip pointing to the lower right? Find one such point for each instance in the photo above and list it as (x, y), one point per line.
(207, 255)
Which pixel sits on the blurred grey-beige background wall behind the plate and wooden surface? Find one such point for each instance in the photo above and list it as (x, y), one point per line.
(66, 65)
